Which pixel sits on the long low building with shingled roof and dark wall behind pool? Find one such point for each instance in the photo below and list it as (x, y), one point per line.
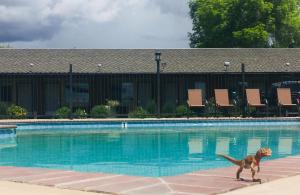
(39, 79)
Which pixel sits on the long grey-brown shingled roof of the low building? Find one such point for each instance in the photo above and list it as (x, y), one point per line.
(142, 60)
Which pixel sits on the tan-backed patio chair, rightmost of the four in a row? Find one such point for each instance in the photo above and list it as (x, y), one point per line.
(284, 99)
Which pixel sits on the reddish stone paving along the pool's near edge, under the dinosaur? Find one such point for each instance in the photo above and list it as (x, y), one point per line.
(214, 181)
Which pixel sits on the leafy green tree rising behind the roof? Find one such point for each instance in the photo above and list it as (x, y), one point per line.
(245, 23)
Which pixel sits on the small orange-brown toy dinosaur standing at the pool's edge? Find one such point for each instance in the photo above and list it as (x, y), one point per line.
(250, 162)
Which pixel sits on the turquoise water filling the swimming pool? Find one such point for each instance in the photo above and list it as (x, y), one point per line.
(147, 151)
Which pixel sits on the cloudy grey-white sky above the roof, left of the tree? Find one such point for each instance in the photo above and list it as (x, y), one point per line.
(95, 23)
